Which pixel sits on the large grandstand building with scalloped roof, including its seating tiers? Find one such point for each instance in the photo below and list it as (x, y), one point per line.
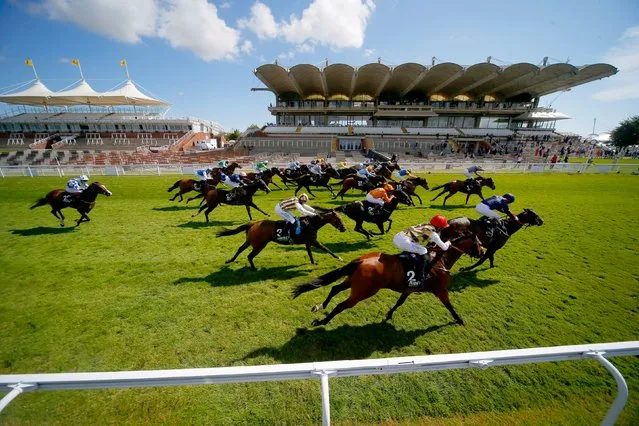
(411, 107)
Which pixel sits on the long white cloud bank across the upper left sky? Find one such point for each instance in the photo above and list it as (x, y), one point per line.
(189, 24)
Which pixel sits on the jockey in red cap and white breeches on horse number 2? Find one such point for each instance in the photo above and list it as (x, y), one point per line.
(409, 239)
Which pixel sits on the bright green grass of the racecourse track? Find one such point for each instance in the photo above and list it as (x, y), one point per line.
(144, 286)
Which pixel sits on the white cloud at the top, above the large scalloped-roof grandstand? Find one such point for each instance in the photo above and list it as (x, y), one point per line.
(332, 23)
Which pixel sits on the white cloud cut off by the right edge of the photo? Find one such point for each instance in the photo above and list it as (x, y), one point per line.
(624, 56)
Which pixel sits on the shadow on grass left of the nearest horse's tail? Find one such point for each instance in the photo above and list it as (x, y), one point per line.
(226, 276)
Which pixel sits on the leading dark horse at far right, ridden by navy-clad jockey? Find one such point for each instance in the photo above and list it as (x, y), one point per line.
(462, 225)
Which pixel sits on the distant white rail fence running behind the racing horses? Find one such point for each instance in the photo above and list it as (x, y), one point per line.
(189, 169)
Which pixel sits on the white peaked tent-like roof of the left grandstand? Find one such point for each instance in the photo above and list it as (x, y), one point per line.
(82, 94)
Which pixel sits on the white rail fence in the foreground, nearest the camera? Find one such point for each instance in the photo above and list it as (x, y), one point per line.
(16, 384)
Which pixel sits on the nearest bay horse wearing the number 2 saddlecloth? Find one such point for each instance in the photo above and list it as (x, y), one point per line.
(372, 272)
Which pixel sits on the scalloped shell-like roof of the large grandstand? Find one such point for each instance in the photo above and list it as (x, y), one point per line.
(337, 81)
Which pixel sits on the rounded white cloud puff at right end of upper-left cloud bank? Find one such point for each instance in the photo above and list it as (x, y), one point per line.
(194, 24)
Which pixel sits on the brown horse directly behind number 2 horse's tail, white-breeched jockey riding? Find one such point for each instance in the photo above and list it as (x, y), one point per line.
(259, 234)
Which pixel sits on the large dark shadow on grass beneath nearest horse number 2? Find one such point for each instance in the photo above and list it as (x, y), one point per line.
(344, 342)
